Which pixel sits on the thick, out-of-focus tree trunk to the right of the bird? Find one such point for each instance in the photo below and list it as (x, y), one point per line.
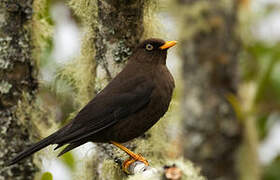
(209, 52)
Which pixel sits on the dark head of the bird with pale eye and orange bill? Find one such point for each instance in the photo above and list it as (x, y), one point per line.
(152, 51)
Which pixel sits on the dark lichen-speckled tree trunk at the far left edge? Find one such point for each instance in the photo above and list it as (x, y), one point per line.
(17, 72)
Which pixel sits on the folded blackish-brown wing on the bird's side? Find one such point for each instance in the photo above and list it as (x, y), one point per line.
(107, 108)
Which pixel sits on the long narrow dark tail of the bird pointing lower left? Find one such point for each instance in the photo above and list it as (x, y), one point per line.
(34, 148)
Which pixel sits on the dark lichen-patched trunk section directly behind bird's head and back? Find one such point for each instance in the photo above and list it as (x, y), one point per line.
(119, 29)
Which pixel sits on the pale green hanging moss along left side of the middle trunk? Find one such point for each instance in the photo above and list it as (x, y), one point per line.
(80, 72)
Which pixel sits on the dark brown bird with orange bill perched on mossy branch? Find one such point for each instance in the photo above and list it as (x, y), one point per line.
(127, 107)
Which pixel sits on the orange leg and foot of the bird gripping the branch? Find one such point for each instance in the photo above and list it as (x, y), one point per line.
(133, 157)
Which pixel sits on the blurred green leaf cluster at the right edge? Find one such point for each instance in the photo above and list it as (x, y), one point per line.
(260, 65)
